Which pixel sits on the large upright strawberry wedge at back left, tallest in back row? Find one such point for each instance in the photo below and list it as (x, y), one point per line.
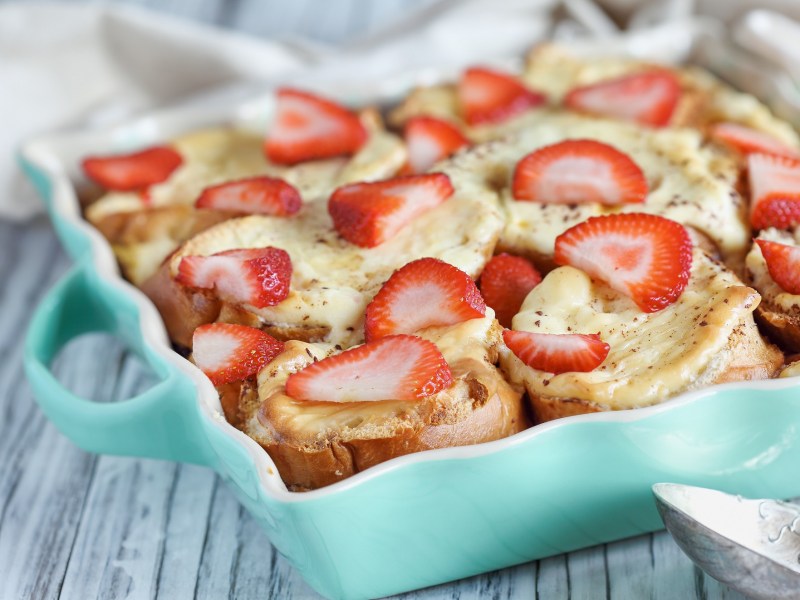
(308, 127)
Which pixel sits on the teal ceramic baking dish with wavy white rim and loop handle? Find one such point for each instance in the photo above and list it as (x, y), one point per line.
(413, 521)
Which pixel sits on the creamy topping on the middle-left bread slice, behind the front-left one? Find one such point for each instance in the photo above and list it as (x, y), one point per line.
(334, 280)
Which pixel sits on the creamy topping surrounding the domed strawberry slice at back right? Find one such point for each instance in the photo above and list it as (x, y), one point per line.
(689, 182)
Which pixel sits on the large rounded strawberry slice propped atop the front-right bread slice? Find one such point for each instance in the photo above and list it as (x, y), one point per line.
(645, 257)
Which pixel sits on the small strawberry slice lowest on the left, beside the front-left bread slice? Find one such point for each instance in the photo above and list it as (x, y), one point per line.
(228, 353)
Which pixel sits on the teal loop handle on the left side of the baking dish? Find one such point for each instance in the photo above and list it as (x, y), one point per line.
(162, 422)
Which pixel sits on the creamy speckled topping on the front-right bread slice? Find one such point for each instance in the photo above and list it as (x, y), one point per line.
(653, 355)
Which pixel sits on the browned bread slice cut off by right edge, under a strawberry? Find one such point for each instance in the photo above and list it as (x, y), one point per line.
(779, 311)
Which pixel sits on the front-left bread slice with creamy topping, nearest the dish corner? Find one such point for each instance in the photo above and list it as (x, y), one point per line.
(315, 444)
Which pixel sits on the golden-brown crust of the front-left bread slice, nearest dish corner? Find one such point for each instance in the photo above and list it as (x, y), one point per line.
(491, 409)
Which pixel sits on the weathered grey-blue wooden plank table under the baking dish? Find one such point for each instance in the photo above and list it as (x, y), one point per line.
(79, 526)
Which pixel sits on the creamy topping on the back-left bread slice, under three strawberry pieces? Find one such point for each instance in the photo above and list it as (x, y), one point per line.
(213, 156)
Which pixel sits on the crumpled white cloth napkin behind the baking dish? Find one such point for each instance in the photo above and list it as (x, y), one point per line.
(71, 66)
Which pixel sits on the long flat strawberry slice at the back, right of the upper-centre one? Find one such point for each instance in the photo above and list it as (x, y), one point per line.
(648, 98)
